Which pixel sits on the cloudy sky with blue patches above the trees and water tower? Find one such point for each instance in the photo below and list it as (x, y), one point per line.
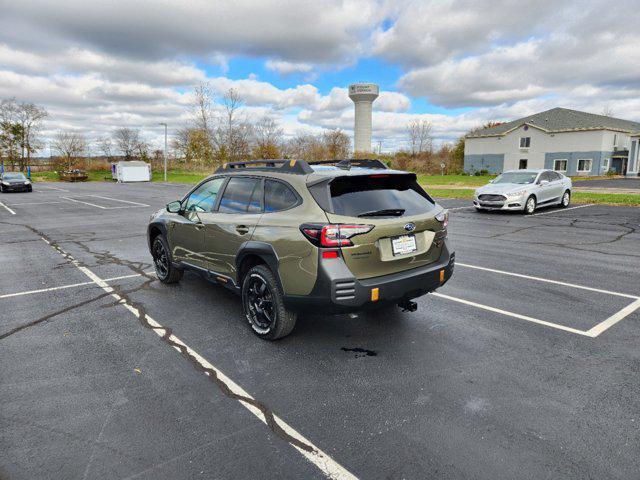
(98, 65)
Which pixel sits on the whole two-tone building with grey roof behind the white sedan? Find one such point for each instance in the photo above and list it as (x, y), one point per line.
(569, 141)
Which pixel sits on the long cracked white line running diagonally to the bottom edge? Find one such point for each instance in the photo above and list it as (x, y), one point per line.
(327, 465)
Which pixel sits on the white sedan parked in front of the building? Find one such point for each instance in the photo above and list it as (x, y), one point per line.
(524, 190)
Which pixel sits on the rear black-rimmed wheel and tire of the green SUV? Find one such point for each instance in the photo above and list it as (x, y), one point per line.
(263, 304)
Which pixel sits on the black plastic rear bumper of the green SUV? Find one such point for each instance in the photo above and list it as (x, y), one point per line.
(338, 291)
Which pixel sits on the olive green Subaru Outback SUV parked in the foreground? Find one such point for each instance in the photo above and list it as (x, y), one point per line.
(292, 236)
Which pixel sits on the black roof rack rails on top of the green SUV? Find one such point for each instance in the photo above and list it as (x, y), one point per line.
(299, 167)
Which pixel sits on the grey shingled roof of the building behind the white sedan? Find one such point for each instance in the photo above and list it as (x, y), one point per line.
(561, 120)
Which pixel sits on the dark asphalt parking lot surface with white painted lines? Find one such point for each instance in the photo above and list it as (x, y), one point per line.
(525, 365)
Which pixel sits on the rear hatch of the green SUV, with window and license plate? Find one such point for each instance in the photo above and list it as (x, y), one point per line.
(405, 232)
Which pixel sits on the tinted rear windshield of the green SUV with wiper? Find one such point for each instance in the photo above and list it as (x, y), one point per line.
(379, 195)
